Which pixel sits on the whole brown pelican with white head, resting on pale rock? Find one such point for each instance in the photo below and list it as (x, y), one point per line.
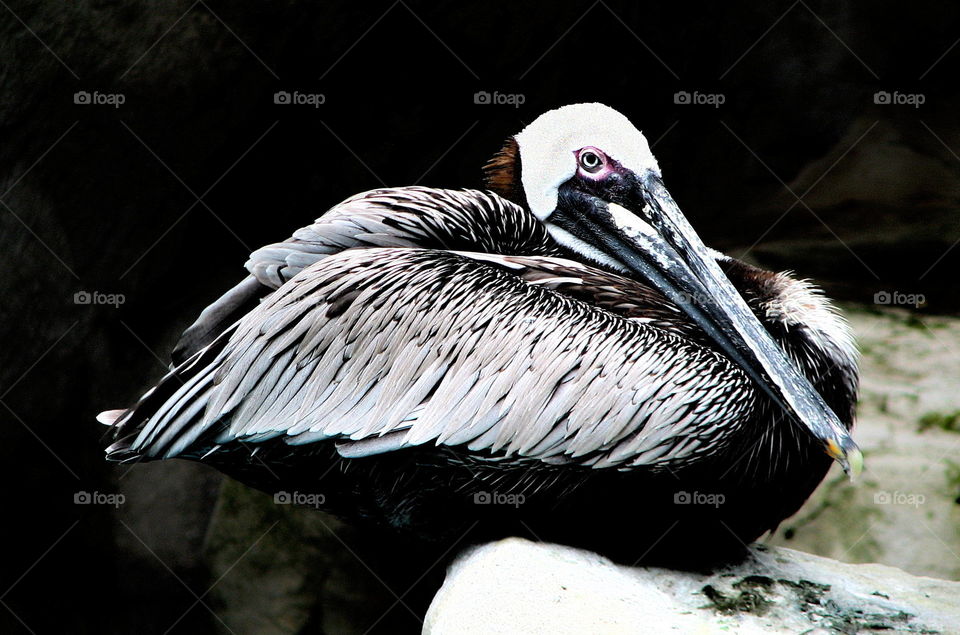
(559, 355)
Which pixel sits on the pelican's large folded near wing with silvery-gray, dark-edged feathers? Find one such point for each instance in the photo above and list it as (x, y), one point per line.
(441, 348)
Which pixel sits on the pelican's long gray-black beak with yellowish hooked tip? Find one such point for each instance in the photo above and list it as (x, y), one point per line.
(656, 242)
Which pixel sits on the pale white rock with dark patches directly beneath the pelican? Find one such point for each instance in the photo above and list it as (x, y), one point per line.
(517, 586)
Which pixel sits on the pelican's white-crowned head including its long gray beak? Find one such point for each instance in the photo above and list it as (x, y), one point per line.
(588, 175)
